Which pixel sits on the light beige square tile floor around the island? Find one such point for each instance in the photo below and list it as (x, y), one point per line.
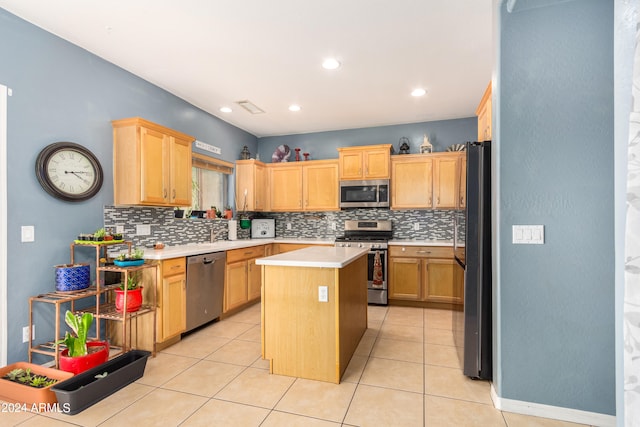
(405, 372)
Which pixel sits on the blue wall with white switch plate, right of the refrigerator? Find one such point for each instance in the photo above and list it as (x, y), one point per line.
(555, 143)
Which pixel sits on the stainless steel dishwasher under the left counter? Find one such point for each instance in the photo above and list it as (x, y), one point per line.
(205, 287)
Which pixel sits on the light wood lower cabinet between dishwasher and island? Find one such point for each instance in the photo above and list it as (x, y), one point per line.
(243, 278)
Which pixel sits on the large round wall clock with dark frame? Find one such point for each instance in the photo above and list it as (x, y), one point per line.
(69, 171)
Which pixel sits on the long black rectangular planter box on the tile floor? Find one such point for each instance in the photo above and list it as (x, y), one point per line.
(83, 390)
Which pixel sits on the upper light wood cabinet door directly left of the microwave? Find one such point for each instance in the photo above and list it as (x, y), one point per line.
(320, 186)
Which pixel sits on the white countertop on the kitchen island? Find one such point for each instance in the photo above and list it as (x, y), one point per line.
(315, 256)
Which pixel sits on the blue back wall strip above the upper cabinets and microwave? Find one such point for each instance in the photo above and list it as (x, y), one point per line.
(323, 145)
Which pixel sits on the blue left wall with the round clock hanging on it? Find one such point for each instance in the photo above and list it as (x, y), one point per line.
(64, 93)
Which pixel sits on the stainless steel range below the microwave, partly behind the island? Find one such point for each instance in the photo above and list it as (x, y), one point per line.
(373, 235)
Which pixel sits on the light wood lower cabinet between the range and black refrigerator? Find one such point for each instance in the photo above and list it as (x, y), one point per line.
(423, 274)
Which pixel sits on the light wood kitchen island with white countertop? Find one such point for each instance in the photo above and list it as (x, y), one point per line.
(314, 310)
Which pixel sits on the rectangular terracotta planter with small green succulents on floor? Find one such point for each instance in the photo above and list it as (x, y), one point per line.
(29, 383)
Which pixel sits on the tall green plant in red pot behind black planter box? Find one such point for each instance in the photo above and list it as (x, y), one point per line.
(81, 355)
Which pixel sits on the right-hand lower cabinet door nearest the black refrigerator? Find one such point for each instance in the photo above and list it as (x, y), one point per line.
(439, 282)
